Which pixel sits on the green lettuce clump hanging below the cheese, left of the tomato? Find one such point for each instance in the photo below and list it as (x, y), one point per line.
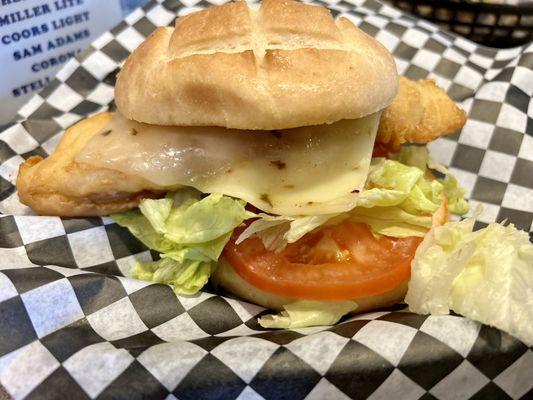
(188, 231)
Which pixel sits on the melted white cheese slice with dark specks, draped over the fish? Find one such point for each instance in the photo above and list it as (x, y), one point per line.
(303, 171)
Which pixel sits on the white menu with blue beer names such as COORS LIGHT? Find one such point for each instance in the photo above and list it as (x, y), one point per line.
(37, 37)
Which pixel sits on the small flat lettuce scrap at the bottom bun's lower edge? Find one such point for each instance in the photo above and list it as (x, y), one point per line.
(301, 314)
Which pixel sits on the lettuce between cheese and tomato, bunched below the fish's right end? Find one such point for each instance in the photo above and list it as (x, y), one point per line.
(399, 199)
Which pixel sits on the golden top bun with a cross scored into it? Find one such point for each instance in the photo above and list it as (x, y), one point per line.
(284, 65)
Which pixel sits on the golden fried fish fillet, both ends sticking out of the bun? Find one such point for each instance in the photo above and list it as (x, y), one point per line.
(58, 185)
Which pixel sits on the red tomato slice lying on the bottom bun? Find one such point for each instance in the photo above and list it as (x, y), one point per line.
(340, 262)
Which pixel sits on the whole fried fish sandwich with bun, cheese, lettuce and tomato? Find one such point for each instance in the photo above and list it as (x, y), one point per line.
(271, 148)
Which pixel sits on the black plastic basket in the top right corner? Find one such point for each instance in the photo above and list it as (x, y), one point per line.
(495, 25)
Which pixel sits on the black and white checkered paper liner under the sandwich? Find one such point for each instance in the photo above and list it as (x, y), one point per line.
(72, 326)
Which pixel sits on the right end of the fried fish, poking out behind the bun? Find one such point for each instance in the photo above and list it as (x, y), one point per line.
(421, 112)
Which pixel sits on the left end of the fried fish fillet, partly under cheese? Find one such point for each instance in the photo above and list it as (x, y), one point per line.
(58, 185)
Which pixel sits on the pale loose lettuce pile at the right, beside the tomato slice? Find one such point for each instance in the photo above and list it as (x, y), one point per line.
(485, 275)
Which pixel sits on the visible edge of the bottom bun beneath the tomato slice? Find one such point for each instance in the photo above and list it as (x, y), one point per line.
(226, 277)
